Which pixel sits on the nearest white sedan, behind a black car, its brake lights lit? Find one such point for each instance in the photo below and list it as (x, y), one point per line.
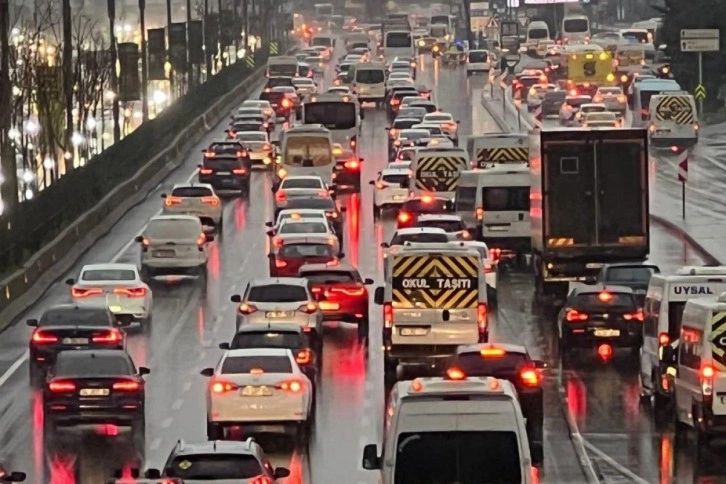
(260, 390)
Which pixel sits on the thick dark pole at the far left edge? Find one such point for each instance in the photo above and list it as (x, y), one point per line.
(8, 187)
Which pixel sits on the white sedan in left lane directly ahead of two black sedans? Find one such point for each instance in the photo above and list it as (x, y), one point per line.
(116, 286)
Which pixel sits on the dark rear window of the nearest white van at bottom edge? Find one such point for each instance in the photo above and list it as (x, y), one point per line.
(480, 457)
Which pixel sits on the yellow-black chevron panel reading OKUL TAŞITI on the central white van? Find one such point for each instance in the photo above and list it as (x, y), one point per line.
(435, 281)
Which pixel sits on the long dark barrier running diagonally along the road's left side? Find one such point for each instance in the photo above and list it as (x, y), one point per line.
(172, 134)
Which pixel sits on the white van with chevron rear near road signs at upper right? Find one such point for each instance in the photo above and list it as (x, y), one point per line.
(673, 120)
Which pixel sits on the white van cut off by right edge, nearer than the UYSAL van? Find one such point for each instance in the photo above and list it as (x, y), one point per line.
(700, 380)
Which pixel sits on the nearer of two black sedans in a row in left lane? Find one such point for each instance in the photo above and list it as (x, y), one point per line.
(95, 387)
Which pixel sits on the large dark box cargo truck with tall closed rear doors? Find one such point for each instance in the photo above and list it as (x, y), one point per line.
(588, 203)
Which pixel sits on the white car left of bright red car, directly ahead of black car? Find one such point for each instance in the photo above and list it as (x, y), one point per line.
(284, 300)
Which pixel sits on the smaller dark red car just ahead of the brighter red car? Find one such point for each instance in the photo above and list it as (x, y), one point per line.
(292, 251)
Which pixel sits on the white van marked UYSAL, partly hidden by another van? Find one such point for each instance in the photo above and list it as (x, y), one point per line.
(665, 299)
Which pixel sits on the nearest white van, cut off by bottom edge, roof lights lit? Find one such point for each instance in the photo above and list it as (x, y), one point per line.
(452, 429)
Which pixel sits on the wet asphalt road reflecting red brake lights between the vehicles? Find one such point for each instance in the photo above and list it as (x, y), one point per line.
(190, 321)
